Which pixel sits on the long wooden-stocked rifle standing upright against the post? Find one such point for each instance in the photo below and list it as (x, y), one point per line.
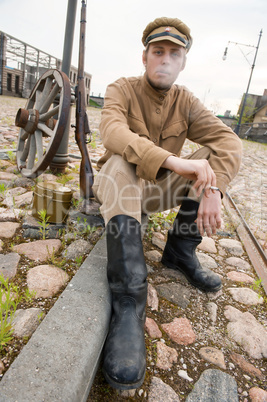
(82, 123)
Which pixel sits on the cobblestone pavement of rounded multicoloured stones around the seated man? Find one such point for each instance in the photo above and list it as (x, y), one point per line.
(199, 346)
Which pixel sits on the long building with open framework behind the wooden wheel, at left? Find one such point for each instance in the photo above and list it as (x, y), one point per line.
(21, 65)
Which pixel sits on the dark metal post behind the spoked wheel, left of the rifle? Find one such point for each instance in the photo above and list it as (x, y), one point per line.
(60, 160)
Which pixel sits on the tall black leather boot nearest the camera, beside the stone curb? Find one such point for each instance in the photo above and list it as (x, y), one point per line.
(124, 352)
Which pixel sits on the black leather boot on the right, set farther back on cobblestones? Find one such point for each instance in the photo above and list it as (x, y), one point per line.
(180, 249)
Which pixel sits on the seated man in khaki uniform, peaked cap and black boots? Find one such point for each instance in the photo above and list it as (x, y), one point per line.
(145, 121)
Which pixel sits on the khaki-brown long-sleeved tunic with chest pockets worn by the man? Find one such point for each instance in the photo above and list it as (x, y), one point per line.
(145, 126)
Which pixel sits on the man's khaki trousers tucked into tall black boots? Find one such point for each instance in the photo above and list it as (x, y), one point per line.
(121, 192)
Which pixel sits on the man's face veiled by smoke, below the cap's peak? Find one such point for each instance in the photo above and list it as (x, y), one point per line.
(163, 61)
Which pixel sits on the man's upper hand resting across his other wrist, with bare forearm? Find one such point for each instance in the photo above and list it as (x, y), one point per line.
(197, 170)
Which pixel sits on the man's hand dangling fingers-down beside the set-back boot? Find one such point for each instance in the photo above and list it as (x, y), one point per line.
(209, 214)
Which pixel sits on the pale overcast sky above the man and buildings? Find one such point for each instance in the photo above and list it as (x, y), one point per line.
(114, 49)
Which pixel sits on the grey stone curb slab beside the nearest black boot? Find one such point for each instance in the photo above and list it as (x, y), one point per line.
(60, 360)
